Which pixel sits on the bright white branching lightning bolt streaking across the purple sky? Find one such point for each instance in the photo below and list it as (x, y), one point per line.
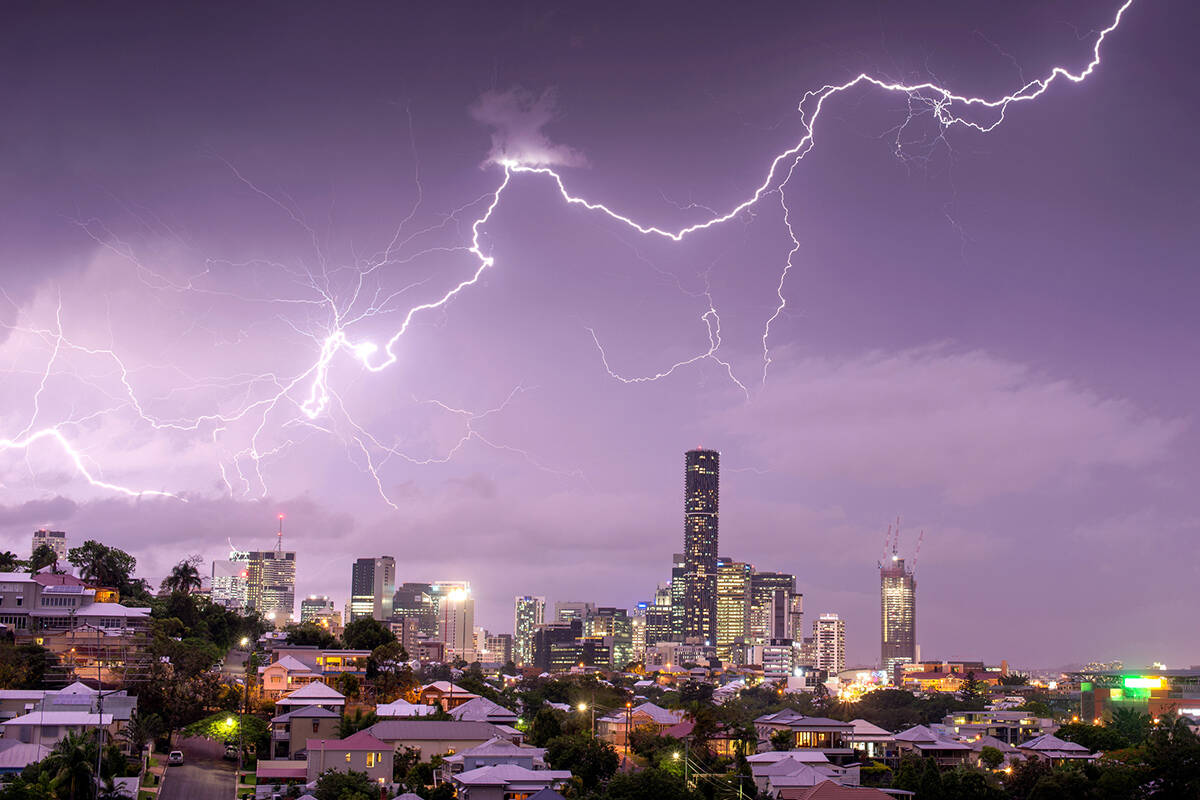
(309, 396)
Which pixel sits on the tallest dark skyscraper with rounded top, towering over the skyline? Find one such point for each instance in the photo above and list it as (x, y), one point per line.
(700, 540)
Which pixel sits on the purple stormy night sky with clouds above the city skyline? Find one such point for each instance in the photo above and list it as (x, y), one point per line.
(992, 336)
